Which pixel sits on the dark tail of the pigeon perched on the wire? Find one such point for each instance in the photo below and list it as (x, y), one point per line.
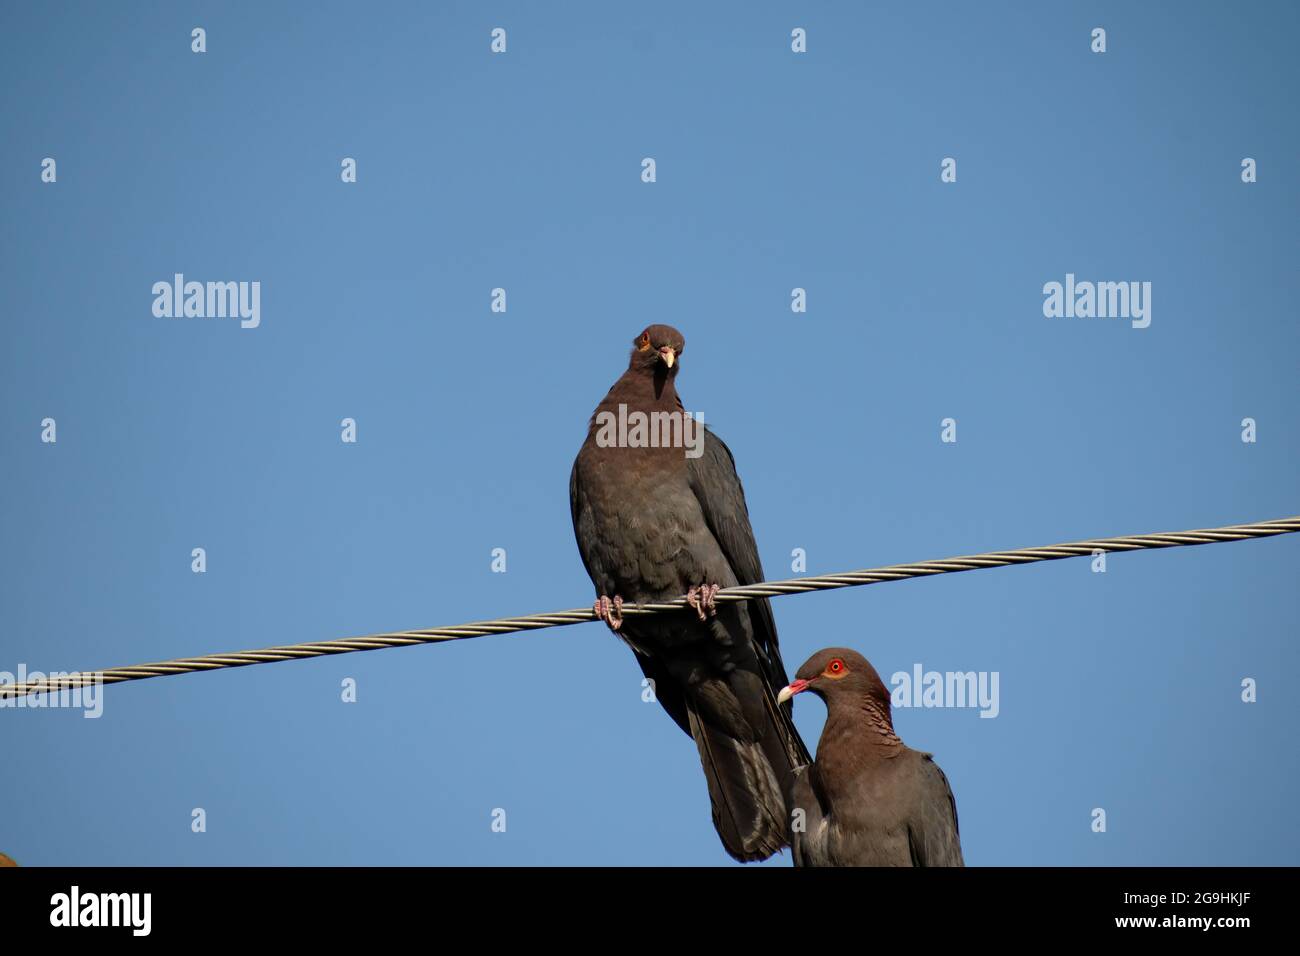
(748, 762)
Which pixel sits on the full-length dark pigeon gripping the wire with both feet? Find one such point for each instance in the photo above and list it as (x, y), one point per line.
(652, 525)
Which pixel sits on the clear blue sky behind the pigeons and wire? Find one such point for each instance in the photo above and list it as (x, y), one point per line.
(523, 171)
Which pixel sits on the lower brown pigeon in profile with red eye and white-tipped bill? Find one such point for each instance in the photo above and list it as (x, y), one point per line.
(868, 801)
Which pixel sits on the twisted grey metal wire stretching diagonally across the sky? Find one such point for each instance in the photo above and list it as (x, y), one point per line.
(580, 616)
